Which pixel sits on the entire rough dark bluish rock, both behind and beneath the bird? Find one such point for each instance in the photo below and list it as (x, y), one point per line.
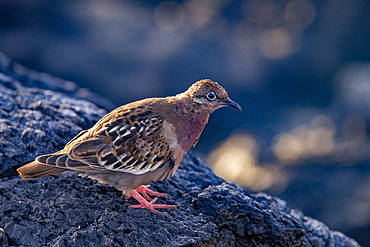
(73, 211)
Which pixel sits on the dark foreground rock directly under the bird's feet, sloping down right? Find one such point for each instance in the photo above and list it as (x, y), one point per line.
(68, 210)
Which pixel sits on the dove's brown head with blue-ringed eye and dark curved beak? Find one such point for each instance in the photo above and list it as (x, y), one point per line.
(210, 96)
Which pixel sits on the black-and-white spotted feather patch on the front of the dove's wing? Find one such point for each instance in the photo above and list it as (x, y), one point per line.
(136, 144)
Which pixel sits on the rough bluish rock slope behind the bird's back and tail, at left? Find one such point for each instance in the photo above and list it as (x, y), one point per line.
(35, 121)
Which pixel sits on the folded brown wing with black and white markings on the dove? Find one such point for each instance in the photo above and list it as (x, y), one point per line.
(131, 142)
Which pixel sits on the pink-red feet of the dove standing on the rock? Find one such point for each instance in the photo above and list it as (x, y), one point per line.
(150, 205)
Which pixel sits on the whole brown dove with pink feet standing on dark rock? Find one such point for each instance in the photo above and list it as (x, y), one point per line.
(137, 143)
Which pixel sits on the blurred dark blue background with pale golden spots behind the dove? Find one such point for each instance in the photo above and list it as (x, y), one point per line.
(299, 68)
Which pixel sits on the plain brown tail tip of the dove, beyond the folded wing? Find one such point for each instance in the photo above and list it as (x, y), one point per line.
(36, 169)
